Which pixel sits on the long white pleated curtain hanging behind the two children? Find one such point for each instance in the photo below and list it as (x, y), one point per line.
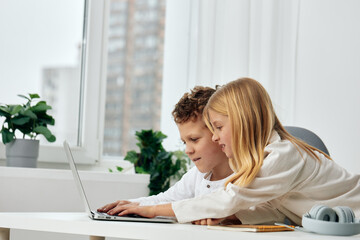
(221, 40)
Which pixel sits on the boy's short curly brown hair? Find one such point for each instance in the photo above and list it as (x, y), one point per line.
(192, 104)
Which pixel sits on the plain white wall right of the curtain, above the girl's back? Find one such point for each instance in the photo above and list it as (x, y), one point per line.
(328, 76)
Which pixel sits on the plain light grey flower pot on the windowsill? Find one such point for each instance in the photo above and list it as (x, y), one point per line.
(22, 153)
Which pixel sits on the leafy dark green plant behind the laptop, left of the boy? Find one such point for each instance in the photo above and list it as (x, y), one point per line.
(153, 159)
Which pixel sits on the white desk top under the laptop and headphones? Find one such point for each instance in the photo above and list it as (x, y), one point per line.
(79, 223)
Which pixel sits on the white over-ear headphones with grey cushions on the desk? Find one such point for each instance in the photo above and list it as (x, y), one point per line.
(339, 221)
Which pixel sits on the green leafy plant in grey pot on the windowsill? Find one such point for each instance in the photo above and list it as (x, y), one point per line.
(30, 120)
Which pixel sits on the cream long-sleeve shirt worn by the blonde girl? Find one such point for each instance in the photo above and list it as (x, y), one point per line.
(288, 183)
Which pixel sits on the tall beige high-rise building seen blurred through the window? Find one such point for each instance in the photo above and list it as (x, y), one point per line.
(134, 72)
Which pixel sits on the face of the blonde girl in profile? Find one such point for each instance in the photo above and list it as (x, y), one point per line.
(222, 132)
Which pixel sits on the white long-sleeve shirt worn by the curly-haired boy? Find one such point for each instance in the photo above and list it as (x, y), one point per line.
(192, 184)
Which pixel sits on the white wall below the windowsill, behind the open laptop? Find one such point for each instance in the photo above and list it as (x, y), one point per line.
(27, 189)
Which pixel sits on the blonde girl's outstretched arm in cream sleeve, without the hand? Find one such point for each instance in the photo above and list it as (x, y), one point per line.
(282, 171)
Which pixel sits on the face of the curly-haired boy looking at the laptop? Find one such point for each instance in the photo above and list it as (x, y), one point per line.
(205, 153)
